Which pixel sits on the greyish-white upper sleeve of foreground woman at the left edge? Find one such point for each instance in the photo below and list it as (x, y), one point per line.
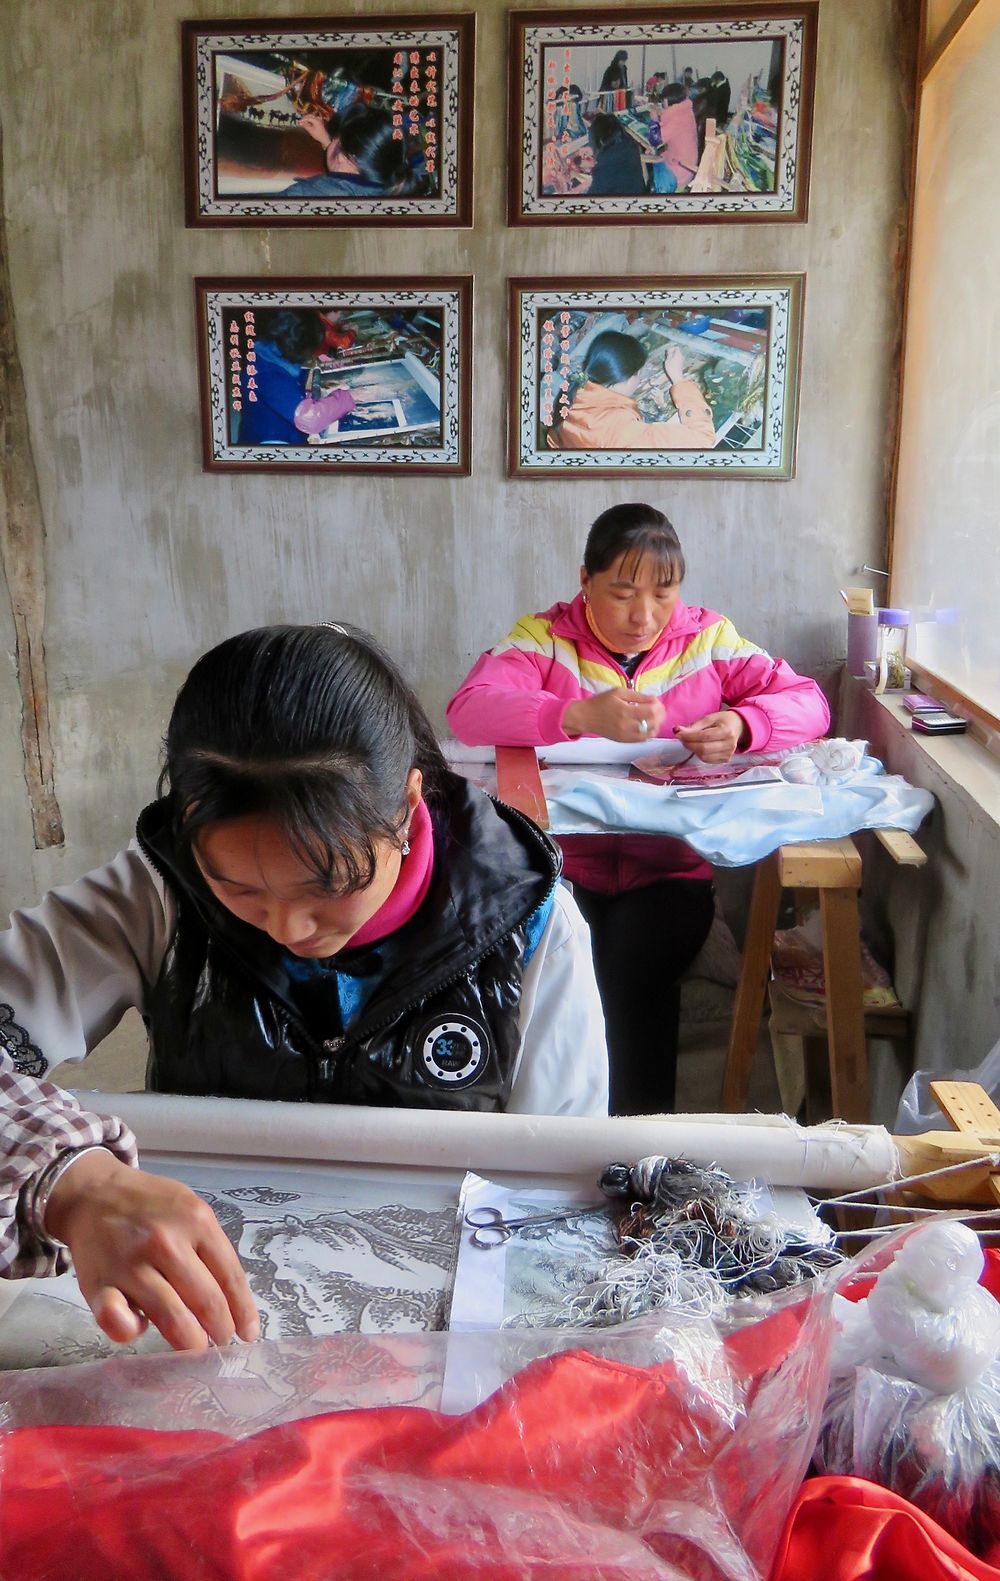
(72, 967)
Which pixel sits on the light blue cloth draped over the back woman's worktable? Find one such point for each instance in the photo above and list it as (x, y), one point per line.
(732, 831)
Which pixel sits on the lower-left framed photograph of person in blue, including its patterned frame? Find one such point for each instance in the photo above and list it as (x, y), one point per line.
(348, 375)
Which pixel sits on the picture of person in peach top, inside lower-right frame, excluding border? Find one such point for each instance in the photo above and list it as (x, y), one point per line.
(690, 379)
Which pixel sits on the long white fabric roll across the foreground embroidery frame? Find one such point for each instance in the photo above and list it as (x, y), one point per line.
(769, 1147)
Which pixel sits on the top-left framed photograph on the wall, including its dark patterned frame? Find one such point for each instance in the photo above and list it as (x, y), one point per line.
(329, 121)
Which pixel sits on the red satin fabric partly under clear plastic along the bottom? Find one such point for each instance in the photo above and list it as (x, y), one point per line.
(574, 1471)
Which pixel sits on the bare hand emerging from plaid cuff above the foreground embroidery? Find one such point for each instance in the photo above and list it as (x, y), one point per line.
(148, 1250)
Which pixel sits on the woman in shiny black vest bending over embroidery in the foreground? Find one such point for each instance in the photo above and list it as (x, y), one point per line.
(315, 910)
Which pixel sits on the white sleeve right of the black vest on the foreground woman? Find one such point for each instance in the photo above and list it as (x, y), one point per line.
(563, 1066)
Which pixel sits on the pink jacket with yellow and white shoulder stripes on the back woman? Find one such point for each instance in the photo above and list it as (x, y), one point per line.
(517, 693)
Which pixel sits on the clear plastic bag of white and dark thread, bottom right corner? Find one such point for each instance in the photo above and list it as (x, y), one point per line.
(939, 1451)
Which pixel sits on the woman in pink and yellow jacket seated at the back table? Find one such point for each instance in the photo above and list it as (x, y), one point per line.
(628, 660)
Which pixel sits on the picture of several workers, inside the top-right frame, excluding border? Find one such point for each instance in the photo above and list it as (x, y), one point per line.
(661, 118)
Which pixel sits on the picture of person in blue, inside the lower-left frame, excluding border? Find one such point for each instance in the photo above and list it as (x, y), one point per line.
(333, 377)
